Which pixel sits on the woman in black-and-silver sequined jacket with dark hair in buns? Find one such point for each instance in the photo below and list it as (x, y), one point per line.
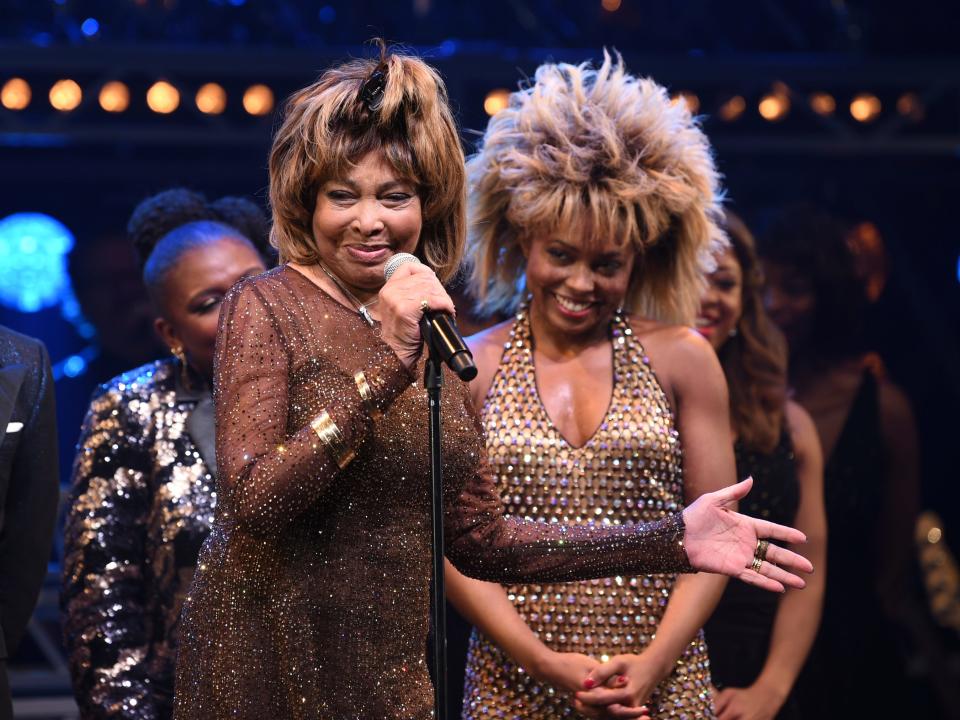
(143, 481)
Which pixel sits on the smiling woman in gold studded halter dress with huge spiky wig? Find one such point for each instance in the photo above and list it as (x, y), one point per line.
(594, 204)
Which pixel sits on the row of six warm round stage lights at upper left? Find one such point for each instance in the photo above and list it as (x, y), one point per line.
(114, 97)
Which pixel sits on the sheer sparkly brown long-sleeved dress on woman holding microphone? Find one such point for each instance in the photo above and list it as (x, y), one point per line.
(311, 595)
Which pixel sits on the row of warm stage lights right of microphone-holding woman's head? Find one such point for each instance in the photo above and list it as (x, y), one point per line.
(773, 106)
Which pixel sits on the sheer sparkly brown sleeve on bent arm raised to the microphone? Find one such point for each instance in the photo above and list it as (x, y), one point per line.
(270, 473)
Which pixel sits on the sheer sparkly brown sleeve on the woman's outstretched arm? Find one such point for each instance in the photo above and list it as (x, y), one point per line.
(482, 543)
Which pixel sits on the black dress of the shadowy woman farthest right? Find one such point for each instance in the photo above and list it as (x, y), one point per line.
(856, 647)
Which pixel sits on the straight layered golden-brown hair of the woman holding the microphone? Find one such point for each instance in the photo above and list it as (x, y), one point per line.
(326, 127)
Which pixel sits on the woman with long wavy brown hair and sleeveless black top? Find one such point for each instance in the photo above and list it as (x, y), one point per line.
(759, 641)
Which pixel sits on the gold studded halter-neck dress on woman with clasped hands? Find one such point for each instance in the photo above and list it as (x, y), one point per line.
(628, 472)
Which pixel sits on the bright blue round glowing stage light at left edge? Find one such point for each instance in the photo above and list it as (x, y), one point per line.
(33, 261)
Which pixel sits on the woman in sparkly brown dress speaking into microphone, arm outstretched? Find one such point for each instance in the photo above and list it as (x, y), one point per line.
(311, 595)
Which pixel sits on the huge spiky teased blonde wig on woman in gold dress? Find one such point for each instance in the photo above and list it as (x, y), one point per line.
(601, 149)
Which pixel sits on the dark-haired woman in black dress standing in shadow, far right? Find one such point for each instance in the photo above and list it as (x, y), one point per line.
(871, 474)
